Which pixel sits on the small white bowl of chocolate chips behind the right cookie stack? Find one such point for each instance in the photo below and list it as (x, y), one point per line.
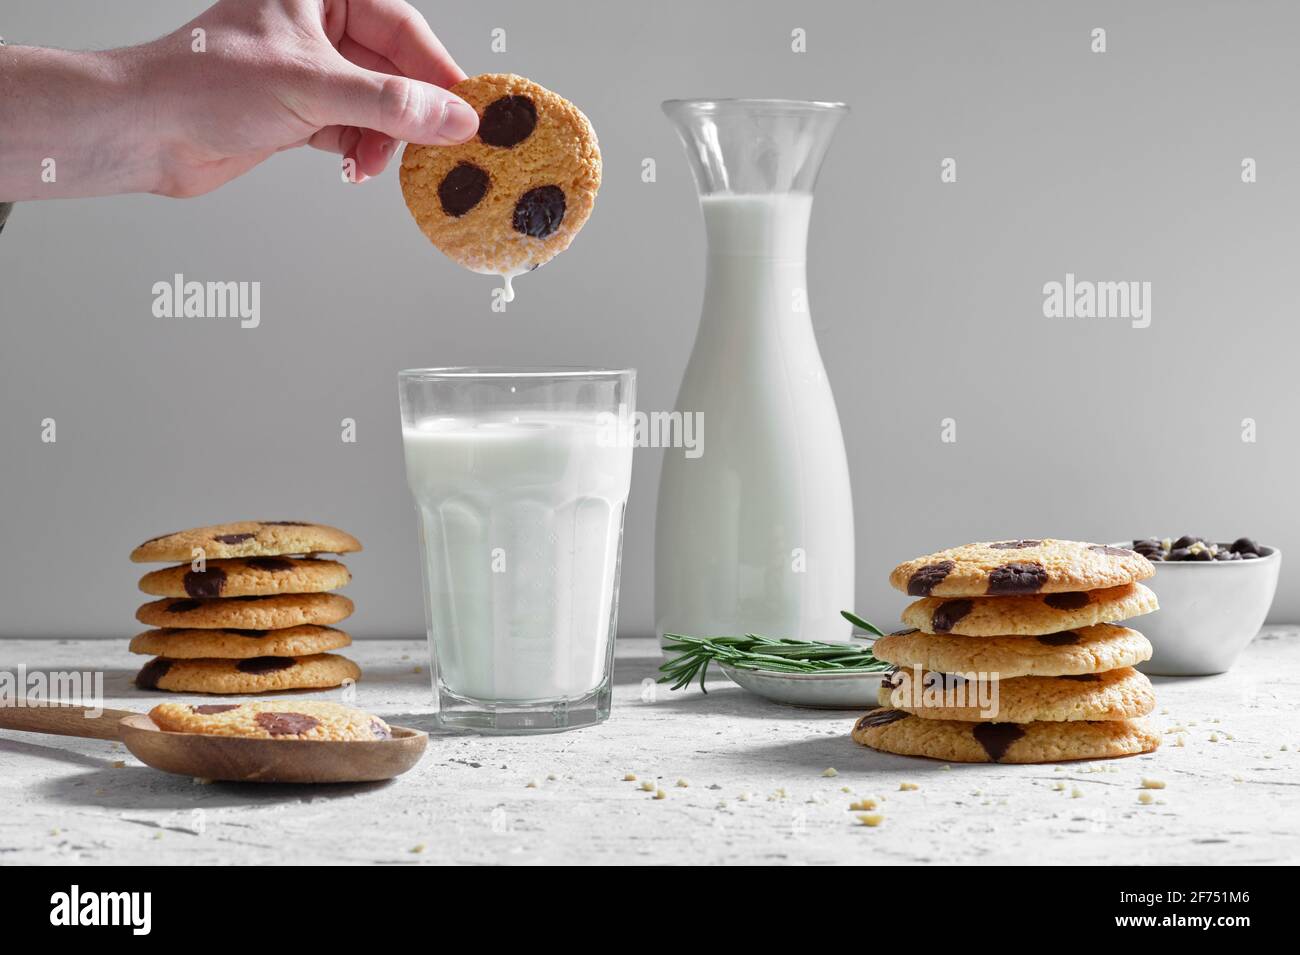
(1210, 611)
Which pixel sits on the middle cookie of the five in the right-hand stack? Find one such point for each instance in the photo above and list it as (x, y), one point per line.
(1068, 653)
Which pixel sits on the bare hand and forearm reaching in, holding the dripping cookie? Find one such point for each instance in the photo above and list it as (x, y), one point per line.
(245, 80)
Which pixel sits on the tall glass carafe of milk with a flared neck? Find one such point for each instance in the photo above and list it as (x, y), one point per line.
(755, 533)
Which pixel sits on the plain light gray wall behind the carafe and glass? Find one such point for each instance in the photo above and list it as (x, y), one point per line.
(926, 297)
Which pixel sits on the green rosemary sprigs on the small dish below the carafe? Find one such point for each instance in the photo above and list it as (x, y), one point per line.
(692, 656)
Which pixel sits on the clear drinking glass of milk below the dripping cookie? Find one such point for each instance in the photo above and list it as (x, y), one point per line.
(521, 481)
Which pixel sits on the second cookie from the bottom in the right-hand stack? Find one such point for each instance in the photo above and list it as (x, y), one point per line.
(1120, 694)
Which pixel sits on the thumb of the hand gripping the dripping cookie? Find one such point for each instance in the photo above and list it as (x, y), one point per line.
(400, 107)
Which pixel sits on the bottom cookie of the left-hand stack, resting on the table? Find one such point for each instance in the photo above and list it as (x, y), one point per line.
(255, 675)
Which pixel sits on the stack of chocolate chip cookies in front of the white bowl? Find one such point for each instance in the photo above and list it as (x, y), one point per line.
(1016, 656)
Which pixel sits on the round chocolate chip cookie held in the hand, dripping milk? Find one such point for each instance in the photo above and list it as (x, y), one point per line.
(515, 196)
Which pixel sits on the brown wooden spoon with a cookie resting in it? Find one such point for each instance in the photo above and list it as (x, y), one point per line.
(236, 759)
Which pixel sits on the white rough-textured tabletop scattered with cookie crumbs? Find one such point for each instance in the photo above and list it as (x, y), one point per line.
(756, 795)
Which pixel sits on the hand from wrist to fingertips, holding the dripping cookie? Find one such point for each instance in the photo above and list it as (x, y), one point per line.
(352, 77)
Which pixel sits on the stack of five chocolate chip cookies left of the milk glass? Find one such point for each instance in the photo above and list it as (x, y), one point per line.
(250, 611)
